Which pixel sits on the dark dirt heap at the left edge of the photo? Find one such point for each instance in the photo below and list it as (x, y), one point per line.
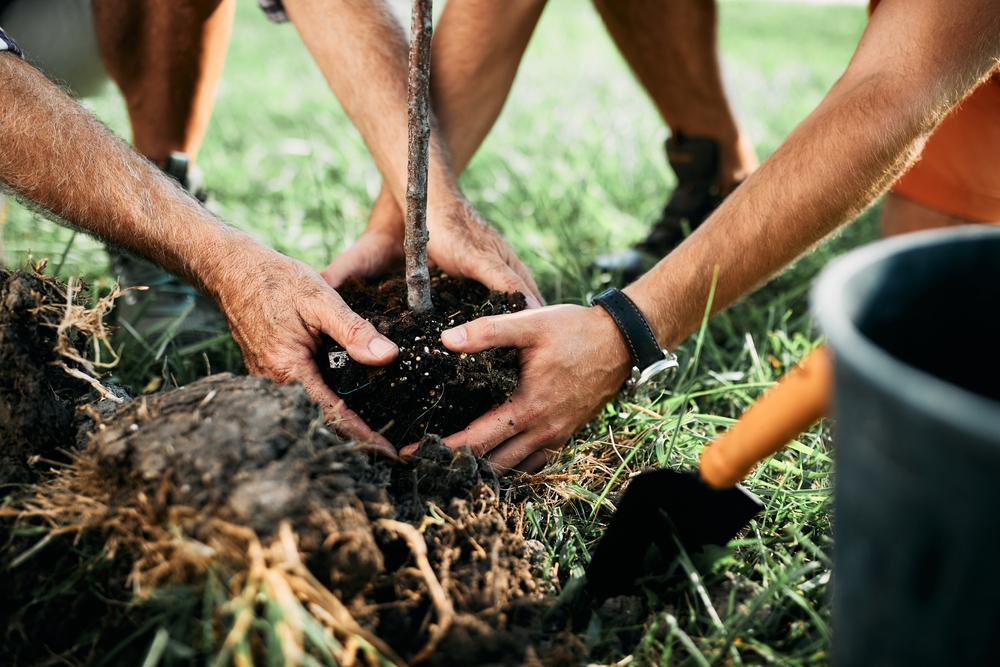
(38, 399)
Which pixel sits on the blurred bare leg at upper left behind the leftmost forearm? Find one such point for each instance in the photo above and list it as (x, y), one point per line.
(166, 57)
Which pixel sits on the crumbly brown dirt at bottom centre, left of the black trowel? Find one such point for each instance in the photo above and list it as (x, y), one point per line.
(492, 574)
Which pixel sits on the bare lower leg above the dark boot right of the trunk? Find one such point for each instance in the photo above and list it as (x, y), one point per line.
(671, 46)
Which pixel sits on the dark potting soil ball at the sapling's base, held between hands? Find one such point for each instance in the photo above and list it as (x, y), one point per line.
(428, 389)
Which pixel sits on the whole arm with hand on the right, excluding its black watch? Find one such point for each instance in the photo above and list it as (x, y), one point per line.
(916, 59)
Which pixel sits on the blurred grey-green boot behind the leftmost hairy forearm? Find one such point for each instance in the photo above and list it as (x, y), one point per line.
(170, 310)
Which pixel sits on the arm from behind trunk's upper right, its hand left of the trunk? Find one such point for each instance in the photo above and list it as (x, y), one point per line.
(475, 54)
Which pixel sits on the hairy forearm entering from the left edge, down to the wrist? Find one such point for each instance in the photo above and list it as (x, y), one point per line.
(56, 155)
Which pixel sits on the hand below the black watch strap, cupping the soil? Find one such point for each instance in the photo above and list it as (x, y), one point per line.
(573, 361)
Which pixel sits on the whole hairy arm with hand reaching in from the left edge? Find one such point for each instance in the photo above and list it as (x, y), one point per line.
(58, 156)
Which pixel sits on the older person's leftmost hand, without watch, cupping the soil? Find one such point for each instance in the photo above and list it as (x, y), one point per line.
(277, 307)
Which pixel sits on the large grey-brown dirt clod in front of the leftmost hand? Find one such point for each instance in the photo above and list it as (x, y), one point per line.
(248, 452)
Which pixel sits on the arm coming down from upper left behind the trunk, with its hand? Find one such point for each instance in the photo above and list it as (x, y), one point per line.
(362, 52)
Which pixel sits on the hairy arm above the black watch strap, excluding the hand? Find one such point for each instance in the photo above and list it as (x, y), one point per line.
(831, 167)
